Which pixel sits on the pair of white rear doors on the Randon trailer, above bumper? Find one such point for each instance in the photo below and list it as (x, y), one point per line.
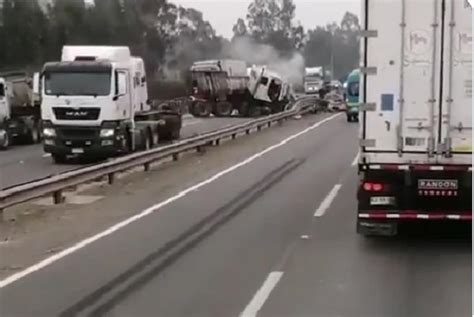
(404, 83)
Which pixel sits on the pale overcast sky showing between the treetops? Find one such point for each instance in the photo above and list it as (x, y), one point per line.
(223, 14)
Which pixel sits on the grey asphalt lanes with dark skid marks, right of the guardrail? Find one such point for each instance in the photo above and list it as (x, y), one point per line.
(273, 235)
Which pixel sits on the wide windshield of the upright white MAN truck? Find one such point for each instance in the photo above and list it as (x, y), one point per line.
(78, 84)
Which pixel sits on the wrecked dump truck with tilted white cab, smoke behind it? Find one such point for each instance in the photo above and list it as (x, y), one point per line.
(222, 86)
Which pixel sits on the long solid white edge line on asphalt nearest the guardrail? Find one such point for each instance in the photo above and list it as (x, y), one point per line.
(50, 260)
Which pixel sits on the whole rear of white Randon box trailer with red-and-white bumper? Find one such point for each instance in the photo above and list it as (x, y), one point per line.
(416, 121)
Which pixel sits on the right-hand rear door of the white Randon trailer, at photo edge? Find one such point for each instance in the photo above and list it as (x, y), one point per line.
(456, 124)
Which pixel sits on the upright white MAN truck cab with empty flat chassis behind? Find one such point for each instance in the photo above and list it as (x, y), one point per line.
(95, 104)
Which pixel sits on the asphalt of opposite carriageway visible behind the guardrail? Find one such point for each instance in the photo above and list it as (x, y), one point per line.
(22, 164)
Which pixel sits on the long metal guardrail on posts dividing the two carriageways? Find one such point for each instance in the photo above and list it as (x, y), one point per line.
(55, 185)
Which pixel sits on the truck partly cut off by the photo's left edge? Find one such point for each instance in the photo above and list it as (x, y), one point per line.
(20, 120)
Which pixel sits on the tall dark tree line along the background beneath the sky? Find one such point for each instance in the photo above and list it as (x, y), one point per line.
(167, 36)
